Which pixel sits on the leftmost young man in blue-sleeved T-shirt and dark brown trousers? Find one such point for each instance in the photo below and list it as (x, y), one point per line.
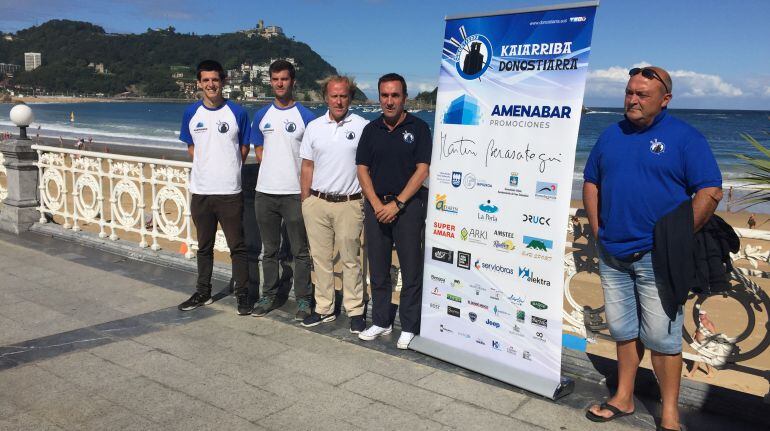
(216, 132)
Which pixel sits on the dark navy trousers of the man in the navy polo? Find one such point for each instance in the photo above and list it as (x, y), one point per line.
(407, 233)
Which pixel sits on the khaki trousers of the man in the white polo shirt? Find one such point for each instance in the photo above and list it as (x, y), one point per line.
(334, 226)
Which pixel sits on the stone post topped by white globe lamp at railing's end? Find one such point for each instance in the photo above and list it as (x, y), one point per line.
(19, 209)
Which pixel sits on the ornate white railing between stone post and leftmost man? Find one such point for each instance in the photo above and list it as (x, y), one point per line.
(146, 200)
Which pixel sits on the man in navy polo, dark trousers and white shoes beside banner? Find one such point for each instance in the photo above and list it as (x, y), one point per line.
(393, 159)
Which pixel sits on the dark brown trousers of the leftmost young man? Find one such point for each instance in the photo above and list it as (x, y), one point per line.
(227, 210)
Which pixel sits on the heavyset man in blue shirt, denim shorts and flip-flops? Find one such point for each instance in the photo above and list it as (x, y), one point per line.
(640, 169)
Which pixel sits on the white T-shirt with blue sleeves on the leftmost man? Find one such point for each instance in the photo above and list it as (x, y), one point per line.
(218, 135)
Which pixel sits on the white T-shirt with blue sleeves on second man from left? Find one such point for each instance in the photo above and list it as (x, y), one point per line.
(279, 131)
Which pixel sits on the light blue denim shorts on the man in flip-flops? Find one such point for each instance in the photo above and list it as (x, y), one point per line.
(633, 307)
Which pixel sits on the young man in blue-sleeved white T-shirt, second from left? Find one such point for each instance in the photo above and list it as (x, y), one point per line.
(276, 134)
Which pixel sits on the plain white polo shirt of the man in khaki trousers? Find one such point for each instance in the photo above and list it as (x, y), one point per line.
(332, 148)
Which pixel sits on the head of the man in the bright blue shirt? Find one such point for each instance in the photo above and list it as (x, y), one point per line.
(645, 98)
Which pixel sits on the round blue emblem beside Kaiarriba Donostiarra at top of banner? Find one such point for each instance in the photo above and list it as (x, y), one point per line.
(472, 54)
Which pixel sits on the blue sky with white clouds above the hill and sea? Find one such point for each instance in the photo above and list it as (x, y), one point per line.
(716, 50)
